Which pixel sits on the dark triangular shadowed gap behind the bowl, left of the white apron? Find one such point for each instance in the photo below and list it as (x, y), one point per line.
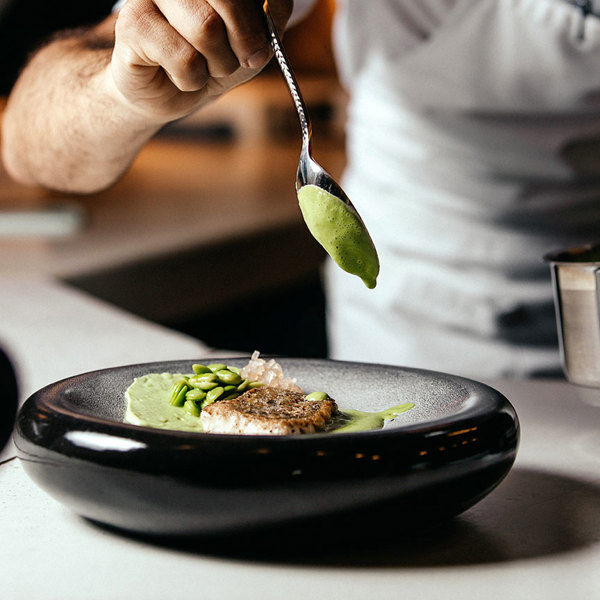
(259, 291)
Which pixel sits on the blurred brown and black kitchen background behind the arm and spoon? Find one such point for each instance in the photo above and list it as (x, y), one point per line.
(203, 234)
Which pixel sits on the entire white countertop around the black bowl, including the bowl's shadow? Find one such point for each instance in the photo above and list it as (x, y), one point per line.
(537, 536)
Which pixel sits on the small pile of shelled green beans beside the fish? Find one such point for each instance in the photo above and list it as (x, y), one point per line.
(208, 384)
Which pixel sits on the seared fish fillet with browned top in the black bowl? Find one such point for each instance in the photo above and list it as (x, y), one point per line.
(268, 411)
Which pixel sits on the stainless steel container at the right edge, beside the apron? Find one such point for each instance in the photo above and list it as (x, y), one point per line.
(576, 285)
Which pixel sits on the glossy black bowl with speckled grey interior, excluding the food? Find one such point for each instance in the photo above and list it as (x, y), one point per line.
(430, 463)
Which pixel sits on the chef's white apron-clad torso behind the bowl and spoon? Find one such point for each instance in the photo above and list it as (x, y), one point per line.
(473, 149)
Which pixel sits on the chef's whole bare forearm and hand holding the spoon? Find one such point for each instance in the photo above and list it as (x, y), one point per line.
(87, 102)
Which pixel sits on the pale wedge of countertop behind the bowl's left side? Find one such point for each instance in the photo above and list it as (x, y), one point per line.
(52, 331)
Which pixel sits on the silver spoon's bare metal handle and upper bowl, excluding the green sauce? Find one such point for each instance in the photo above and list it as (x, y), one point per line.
(309, 171)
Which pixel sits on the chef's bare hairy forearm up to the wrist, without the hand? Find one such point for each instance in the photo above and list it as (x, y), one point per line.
(79, 143)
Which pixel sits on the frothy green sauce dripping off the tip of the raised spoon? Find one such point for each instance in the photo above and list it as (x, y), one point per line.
(340, 230)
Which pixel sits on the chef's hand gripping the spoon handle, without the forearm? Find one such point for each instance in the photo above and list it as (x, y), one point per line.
(172, 56)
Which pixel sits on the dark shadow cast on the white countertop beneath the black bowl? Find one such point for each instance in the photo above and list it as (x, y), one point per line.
(530, 515)
